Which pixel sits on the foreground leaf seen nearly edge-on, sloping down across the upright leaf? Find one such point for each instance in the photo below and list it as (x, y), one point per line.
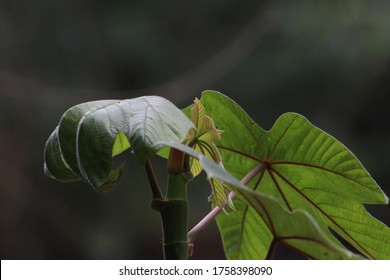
(296, 229)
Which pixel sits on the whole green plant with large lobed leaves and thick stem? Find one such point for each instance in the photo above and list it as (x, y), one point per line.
(294, 184)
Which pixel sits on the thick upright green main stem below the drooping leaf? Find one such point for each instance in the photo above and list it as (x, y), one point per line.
(174, 217)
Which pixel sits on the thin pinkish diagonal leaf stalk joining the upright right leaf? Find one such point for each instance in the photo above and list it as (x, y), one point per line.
(196, 230)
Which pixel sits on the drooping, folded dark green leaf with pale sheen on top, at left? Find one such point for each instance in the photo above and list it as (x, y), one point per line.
(90, 134)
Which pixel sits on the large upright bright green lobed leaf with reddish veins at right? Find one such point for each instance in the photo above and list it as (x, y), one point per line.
(306, 169)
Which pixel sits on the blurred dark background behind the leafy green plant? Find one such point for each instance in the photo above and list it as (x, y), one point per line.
(328, 60)
